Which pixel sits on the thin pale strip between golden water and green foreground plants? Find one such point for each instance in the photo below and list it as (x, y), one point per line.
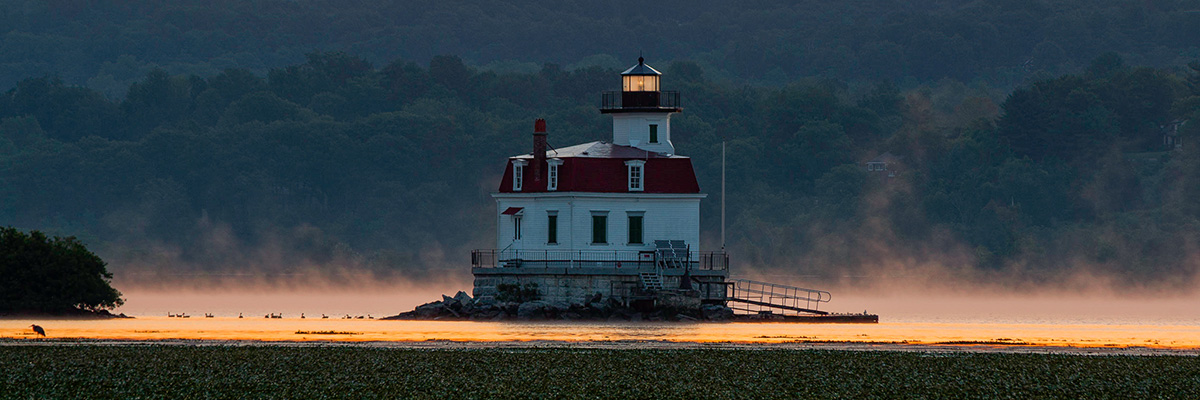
(633, 345)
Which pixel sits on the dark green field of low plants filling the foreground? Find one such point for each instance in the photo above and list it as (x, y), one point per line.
(310, 373)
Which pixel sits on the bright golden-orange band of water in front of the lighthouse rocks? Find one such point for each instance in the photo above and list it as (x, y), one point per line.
(295, 330)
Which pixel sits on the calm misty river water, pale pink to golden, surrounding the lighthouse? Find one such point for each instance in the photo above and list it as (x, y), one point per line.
(1047, 321)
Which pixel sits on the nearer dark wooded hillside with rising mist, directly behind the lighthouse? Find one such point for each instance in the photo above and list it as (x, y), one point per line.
(340, 163)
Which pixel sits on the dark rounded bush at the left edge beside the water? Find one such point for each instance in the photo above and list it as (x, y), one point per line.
(52, 276)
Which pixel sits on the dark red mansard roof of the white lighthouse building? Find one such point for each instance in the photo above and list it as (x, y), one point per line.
(601, 168)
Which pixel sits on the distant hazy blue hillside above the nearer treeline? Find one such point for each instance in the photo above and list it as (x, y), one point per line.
(109, 45)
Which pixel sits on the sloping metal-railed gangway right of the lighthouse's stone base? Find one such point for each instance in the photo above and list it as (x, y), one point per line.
(755, 297)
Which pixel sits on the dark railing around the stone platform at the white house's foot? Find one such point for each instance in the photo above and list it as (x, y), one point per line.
(597, 259)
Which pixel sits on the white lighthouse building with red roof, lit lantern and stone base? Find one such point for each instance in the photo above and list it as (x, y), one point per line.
(615, 218)
